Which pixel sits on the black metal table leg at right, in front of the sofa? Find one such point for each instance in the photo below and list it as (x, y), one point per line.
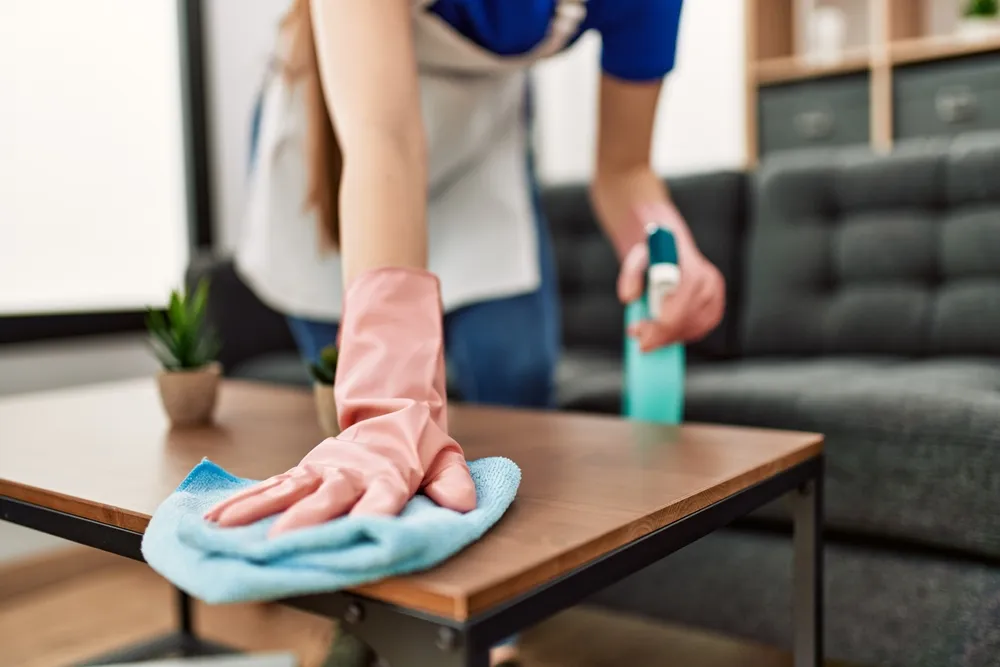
(808, 573)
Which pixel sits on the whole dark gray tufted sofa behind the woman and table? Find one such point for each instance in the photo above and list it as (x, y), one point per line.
(864, 303)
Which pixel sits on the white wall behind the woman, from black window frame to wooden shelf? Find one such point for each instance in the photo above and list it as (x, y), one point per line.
(701, 124)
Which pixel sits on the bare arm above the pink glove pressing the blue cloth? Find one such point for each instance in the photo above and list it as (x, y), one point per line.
(369, 75)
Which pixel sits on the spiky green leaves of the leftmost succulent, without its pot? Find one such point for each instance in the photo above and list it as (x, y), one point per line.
(179, 336)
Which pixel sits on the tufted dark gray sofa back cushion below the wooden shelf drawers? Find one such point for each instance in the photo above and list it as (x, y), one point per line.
(853, 252)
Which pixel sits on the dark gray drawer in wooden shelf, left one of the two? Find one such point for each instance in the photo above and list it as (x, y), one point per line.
(819, 113)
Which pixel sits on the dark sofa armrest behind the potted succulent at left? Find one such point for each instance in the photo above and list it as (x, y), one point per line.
(247, 327)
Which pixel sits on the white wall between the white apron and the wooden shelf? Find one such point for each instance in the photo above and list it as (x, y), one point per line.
(701, 123)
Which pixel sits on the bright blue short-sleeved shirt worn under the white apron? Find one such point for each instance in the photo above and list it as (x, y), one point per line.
(639, 37)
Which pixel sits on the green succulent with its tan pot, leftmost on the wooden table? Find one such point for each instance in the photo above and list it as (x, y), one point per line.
(187, 350)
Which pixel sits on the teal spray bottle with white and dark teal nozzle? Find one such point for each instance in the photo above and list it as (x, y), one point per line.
(654, 381)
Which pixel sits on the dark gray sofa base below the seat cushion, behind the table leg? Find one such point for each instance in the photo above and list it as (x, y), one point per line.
(883, 607)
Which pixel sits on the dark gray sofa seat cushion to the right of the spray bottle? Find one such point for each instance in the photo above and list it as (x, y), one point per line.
(912, 446)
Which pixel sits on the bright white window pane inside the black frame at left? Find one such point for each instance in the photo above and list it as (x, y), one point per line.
(93, 211)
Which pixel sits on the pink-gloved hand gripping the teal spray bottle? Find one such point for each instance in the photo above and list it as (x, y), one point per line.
(695, 308)
